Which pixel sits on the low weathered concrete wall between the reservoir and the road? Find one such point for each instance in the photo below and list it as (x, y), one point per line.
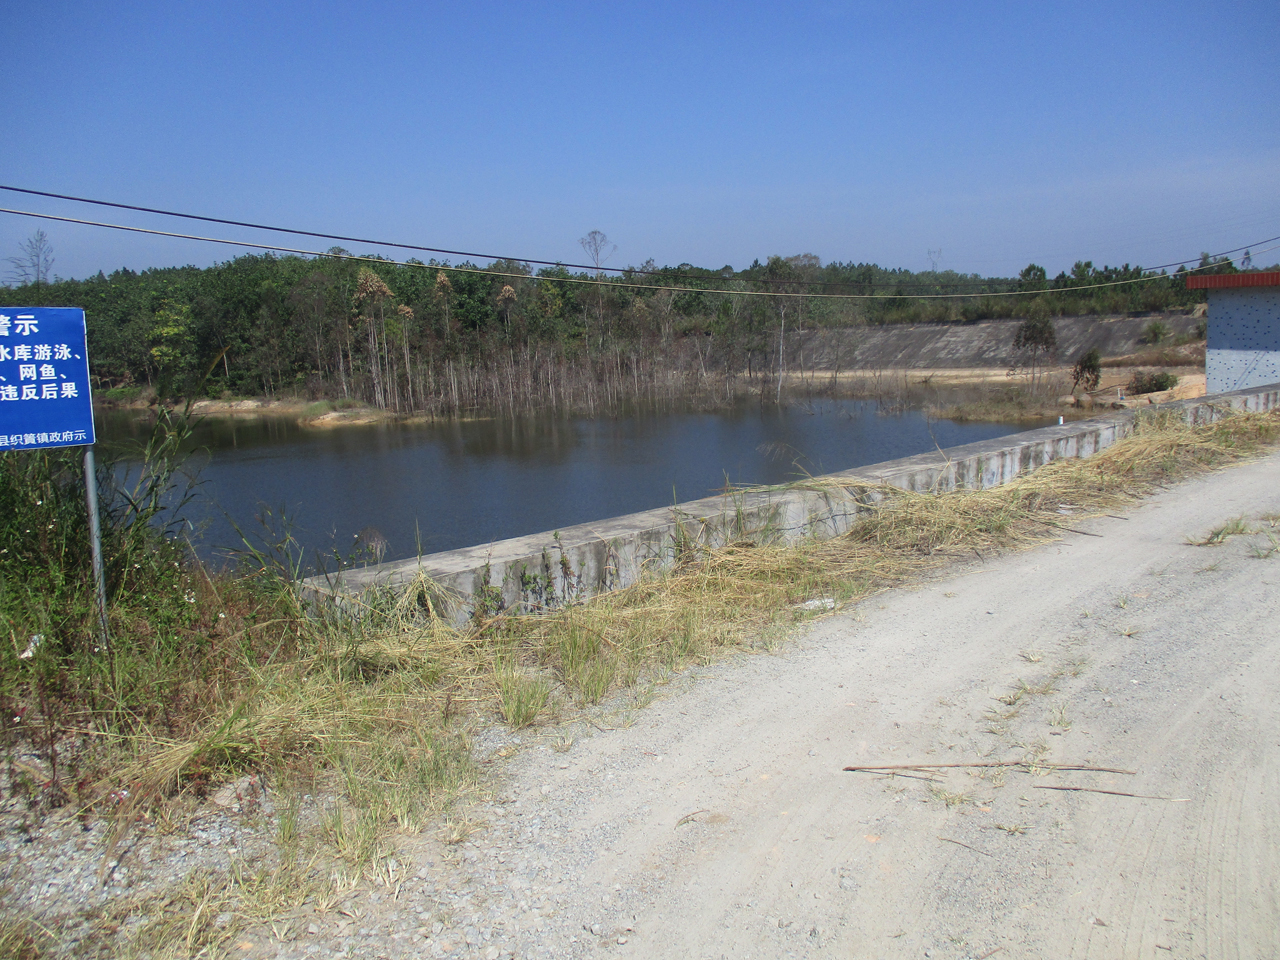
(543, 572)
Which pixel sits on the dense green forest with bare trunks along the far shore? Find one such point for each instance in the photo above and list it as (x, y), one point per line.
(444, 340)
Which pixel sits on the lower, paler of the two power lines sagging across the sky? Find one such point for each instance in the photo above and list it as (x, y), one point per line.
(587, 281)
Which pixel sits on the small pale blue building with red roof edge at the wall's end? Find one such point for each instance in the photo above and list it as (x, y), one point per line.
(1244, 348)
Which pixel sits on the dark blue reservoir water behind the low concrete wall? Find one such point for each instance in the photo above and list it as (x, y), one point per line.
(436, 487)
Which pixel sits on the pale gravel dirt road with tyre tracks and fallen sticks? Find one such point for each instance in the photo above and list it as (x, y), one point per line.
(720, 822)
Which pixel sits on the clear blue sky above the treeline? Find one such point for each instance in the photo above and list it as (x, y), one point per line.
(688, 132)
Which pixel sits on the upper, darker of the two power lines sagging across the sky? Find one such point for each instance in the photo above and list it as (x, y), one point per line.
(551, 263)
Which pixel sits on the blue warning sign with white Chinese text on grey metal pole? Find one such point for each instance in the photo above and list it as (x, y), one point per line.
(45, 401)
